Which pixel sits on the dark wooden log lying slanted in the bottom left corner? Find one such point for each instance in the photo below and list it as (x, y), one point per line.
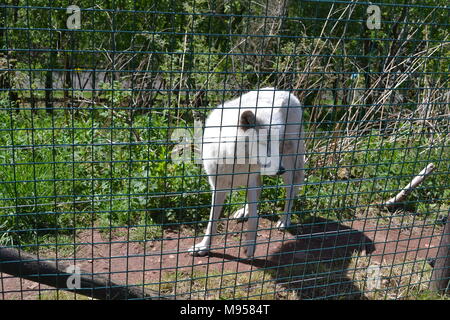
(20, 264)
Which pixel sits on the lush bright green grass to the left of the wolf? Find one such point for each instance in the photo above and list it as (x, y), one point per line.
(68, 171)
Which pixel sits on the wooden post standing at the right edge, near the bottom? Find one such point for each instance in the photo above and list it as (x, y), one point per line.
(441, 271)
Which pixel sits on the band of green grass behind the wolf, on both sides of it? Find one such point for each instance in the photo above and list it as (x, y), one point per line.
(107, 168)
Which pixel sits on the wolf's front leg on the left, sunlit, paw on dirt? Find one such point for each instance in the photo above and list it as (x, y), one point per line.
(202, 248)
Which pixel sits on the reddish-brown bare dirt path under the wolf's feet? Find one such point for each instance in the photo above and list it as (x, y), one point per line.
(155, 261)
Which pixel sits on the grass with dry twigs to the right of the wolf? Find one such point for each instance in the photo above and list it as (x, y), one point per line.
(344, 184)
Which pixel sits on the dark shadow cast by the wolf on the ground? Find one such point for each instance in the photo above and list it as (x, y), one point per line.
(316, 264)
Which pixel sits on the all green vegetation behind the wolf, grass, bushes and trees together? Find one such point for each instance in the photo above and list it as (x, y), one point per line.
(86, 115)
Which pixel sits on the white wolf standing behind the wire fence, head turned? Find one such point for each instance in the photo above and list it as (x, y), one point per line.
(236, 151)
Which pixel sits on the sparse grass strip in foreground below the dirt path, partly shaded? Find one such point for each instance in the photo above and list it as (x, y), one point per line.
(349, 280)
